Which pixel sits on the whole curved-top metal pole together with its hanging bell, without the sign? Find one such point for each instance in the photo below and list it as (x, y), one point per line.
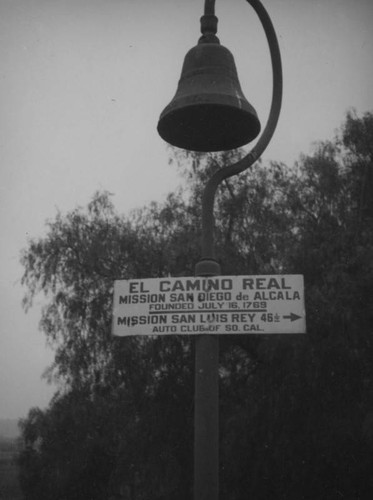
(210, 113)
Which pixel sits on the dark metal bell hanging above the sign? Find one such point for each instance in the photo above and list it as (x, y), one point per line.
(209, 111)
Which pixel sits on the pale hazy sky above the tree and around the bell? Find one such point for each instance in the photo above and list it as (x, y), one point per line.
(82, 84)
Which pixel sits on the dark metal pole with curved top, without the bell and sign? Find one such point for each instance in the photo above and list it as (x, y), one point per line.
(206, 410)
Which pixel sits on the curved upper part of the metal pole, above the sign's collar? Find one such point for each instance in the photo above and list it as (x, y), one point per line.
(254, 154)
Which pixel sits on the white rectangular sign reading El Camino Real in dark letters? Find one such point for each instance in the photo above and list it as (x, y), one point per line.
(215, 305)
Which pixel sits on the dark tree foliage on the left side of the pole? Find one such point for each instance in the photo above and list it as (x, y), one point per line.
(124, 387)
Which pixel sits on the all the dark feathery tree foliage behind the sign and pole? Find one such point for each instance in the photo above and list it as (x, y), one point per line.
(296, 412)
